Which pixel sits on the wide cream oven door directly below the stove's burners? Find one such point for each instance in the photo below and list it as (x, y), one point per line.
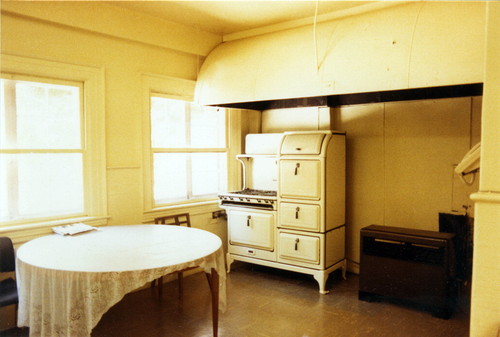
(251, 228)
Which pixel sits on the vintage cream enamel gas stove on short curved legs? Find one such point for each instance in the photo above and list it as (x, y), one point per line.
(291, 213)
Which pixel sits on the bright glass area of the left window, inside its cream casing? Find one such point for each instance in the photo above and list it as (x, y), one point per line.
(41, 159)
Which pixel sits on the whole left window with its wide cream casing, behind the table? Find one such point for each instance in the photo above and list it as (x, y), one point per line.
(52, 145)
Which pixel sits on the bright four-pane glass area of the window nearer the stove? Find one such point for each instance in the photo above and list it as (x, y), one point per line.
(189, 153)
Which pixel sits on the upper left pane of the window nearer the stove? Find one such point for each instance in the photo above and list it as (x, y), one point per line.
(168, 123)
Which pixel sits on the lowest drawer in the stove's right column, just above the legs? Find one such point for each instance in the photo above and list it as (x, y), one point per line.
(299, 248)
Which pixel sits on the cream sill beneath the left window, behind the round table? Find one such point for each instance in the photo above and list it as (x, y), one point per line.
(22, 233)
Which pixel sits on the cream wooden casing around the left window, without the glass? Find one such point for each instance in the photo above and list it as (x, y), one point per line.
(93, 143)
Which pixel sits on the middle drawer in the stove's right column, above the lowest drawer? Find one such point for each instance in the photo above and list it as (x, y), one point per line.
(299, 216)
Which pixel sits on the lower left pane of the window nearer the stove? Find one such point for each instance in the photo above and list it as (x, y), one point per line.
(170, 177)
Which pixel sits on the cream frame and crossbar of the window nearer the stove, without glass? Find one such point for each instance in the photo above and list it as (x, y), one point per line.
(179, 89)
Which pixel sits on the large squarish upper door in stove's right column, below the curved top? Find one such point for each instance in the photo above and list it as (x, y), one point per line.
(300, 179)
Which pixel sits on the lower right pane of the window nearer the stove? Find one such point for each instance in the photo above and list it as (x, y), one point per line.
(208, 173)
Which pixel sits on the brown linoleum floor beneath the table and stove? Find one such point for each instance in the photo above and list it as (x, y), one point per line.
(264, 302)
